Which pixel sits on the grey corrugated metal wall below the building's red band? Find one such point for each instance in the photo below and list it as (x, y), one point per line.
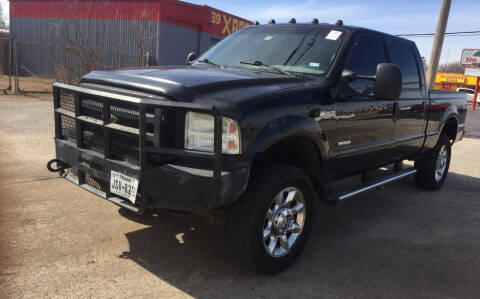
(43, 43)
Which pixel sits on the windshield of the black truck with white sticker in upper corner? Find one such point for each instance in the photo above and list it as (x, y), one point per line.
(295, 49)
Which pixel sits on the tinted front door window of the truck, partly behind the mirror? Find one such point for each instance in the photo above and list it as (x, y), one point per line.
(367, 53)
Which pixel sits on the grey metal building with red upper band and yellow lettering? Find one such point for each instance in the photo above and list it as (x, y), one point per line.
(58, 38)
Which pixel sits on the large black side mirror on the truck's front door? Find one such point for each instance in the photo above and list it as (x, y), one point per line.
(388, 83)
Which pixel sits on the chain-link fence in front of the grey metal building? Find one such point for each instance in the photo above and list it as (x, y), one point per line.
(36, 65)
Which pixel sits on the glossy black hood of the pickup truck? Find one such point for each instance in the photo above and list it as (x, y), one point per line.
(187, 83)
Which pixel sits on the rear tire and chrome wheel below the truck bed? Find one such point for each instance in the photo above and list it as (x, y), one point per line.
(433, 167)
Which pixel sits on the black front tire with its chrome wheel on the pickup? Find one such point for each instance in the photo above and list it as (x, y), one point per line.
(269, 225)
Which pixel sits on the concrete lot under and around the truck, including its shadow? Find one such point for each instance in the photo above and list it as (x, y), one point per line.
(58, 240)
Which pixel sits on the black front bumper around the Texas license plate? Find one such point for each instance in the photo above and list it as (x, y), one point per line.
(170, 186)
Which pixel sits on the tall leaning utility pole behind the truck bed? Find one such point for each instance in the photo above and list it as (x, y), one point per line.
(438, 42)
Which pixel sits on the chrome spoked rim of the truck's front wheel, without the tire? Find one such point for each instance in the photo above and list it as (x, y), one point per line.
(284, 221)
